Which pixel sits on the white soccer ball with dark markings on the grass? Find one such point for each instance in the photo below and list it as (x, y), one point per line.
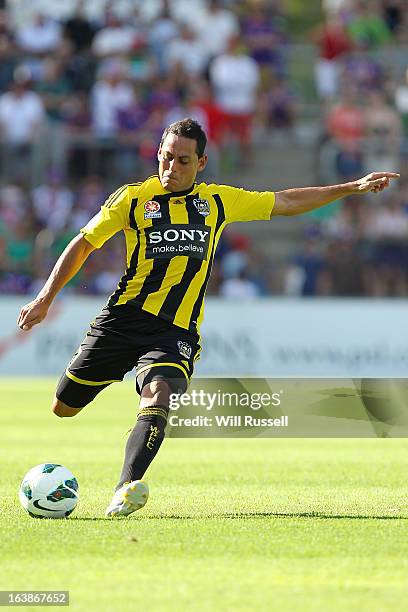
(49, 490)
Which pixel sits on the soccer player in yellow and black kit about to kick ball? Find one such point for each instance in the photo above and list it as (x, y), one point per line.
(172, 225)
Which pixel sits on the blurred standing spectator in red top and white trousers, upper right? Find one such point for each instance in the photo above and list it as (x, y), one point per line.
(333, 42)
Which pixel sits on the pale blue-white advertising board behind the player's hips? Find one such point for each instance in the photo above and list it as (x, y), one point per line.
(282, 337)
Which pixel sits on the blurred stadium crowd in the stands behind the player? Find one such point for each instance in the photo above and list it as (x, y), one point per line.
(84, 100)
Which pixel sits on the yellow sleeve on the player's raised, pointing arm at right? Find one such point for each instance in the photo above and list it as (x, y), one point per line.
(243, 205)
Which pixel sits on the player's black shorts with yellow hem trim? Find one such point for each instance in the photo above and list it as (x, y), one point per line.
(121, 338)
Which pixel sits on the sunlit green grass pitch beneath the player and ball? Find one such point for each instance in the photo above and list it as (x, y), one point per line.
(230, 524)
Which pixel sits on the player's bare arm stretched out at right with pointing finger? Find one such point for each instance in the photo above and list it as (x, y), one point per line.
(297, 201)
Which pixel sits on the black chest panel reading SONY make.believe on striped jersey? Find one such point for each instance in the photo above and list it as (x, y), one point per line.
(167, 241)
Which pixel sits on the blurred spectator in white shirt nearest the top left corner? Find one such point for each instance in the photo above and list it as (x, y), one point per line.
(40, 36)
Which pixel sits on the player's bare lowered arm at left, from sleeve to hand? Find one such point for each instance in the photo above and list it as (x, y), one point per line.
(66, 267)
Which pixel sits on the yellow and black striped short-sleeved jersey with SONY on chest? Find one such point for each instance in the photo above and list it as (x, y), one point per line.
(170, 242)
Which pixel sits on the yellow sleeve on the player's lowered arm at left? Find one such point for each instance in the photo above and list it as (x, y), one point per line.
(113, 217)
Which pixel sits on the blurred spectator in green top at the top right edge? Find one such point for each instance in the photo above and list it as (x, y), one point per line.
(367, 28)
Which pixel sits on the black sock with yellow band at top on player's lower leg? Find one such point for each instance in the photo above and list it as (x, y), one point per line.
(143, 443)
